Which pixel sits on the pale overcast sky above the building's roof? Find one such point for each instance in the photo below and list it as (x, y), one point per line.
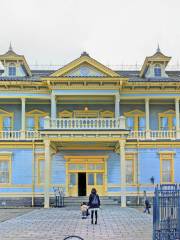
(111, 31)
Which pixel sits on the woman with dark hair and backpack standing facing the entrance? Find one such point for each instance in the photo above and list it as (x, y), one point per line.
(94, 204)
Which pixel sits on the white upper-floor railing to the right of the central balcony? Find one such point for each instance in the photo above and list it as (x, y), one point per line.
(152, 135)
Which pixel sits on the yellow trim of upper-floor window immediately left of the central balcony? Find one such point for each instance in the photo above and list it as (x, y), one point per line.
(36, 114)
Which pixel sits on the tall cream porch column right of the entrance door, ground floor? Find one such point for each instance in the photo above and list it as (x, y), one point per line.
(123, 172)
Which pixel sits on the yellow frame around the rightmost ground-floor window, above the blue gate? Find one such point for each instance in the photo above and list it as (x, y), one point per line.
(170, 157)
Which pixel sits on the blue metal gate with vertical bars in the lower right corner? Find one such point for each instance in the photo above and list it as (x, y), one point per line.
(166, 212)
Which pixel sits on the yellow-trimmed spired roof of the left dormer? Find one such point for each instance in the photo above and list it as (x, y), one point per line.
(10, 55)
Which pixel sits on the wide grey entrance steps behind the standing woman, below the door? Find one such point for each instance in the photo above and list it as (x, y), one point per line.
(76, 201)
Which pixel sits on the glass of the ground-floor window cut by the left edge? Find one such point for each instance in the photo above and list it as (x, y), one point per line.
(4, 171)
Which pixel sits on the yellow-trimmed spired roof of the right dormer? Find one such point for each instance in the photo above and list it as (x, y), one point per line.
(158, 57)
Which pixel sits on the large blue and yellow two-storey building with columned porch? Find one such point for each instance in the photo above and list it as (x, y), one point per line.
(85, 125)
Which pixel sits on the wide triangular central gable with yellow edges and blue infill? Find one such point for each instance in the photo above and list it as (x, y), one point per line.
(85, 66)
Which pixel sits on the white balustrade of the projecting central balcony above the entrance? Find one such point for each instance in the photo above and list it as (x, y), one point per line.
(85, 123)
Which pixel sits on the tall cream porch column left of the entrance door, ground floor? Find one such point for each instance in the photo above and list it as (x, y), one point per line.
(47, 173)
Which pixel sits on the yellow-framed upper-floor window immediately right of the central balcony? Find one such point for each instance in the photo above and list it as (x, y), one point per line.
(135, 120)
